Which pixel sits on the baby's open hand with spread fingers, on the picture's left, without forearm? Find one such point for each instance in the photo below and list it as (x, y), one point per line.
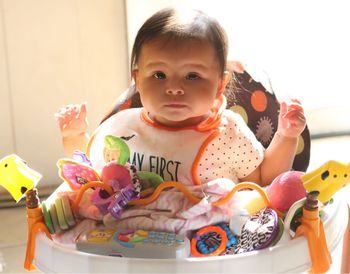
(72, 120)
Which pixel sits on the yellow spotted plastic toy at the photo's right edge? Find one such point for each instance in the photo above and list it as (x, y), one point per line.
(327, 179)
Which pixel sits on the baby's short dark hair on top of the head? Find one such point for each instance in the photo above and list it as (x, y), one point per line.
(175, 25)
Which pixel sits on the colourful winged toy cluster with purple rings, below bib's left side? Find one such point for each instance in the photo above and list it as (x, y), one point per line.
(115, 185)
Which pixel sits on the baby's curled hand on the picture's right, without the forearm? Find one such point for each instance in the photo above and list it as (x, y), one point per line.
(291, 120)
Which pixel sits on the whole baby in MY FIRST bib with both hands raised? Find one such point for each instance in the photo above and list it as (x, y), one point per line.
(183, 131)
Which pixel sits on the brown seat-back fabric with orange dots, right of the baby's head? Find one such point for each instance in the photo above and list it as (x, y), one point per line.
(259, 107)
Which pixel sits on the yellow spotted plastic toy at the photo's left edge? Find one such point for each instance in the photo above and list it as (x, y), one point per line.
(17, 177)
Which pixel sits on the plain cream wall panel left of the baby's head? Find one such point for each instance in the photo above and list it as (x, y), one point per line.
(55, 52)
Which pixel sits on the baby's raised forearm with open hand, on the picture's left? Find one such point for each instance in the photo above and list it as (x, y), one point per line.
(72, 121)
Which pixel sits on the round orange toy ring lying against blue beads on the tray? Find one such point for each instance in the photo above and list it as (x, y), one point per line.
(205, 230)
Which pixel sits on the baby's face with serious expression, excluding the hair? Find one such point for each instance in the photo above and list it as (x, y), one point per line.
(178, 81)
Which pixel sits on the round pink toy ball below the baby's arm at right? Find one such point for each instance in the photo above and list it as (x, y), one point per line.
(286, 189)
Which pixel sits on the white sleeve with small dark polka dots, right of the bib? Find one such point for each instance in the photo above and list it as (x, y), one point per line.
(234, 154)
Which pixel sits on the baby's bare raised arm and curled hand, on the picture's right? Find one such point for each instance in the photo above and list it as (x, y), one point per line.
(279, 156)
